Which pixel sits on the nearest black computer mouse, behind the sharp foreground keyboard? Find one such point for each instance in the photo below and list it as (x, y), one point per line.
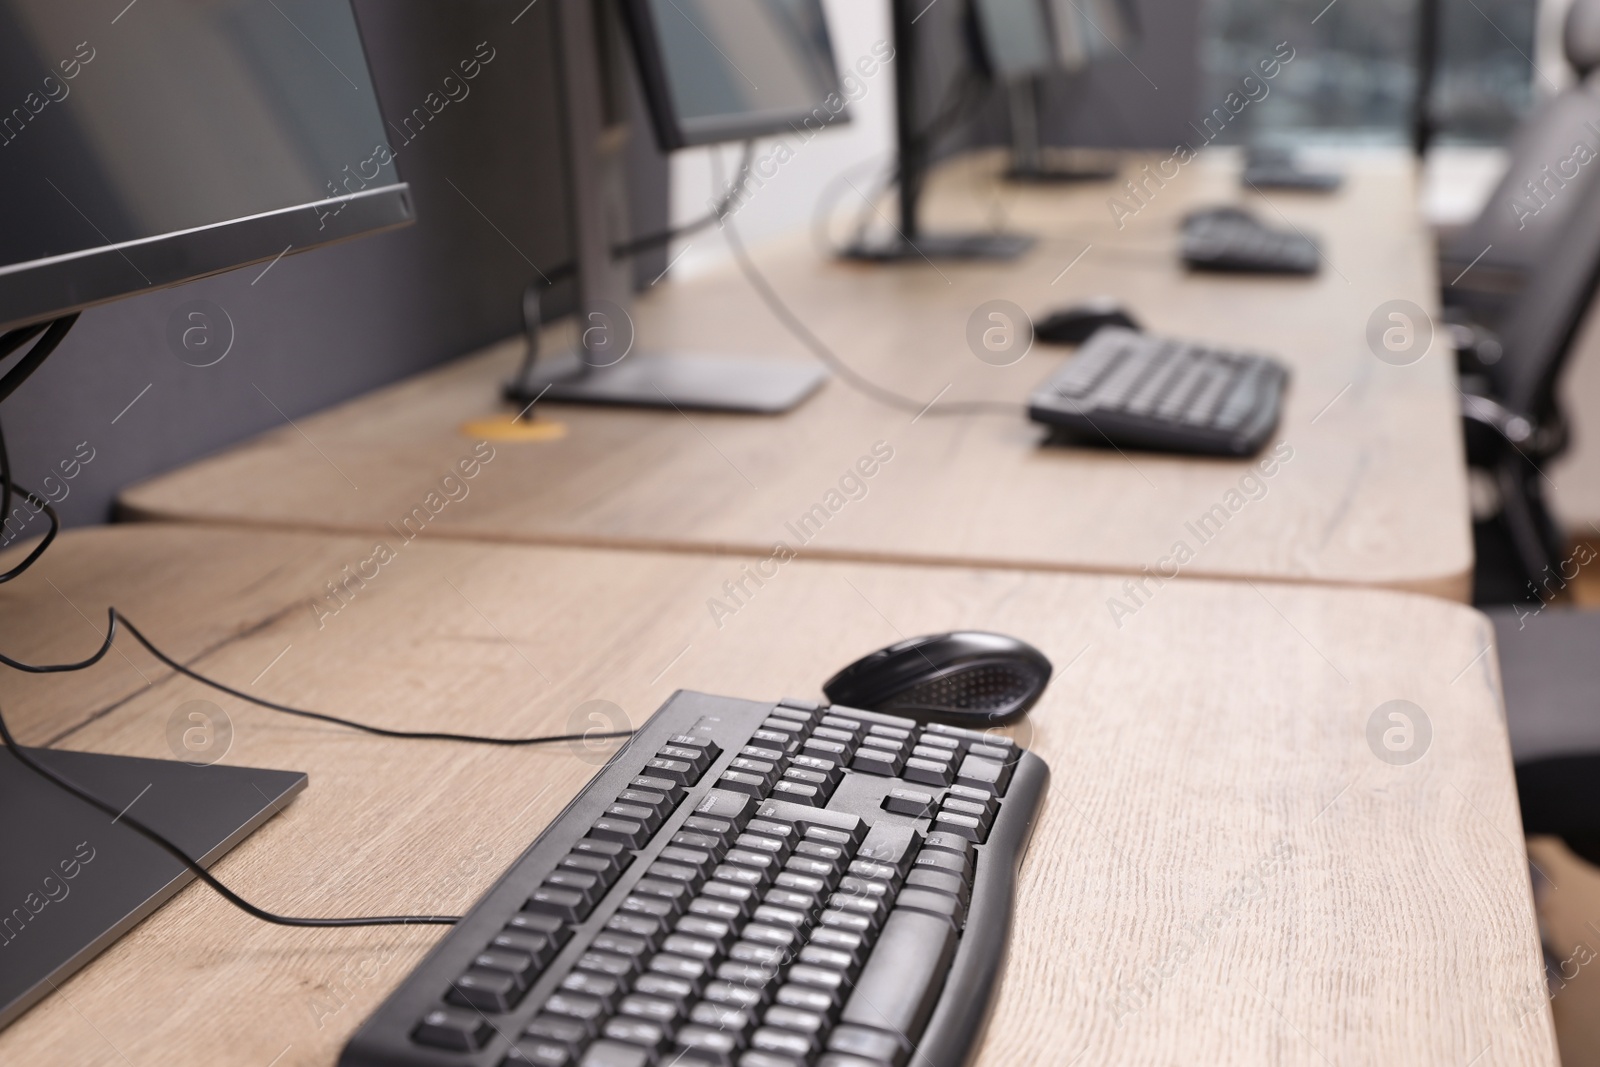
(966, 679)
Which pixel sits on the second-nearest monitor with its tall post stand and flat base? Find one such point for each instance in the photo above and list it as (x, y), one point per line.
(713, 71)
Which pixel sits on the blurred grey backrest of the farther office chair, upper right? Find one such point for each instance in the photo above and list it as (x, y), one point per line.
(1545, 178)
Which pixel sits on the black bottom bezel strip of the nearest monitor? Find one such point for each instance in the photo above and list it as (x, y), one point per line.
(41, 290)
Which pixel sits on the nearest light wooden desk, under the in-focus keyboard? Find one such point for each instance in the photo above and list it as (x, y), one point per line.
(1225, 873)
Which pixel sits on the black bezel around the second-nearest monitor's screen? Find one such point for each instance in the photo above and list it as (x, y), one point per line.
(673, 134)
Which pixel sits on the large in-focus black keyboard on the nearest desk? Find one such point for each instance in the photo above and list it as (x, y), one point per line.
(746, 885)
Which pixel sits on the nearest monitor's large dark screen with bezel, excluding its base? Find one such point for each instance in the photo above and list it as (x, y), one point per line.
(145, 145)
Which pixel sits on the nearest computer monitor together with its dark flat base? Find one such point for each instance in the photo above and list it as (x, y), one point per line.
(188, 138)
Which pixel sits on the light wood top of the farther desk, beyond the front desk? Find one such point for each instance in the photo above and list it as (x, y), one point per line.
(1374, 495)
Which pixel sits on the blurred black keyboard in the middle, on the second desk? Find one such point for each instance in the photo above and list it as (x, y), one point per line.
(1132, 390)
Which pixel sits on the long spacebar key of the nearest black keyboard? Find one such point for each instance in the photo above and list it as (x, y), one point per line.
(903, 980)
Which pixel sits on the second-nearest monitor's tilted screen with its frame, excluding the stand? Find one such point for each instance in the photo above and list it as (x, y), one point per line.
(721, 71)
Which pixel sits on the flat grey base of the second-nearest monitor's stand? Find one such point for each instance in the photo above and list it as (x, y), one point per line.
(658, 380)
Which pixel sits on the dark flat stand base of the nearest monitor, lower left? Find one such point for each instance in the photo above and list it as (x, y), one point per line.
(73, 882)
